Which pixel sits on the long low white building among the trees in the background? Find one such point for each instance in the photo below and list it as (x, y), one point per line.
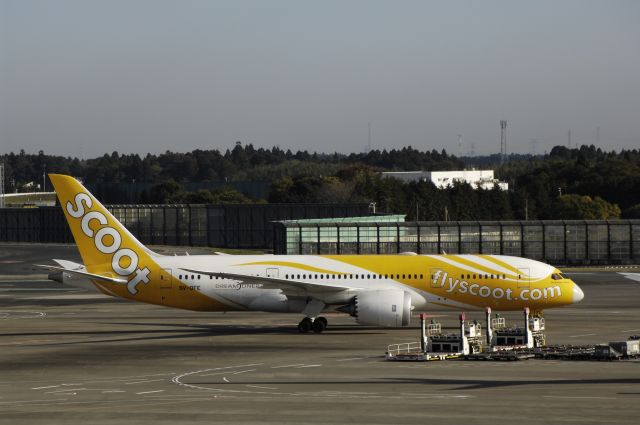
(482, 179)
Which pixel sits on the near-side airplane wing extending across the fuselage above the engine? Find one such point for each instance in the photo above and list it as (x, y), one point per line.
(292, 287)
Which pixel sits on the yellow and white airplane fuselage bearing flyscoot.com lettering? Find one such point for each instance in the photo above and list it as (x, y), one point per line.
(460, 281)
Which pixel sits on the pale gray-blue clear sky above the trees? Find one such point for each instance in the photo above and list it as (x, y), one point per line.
(82, 77)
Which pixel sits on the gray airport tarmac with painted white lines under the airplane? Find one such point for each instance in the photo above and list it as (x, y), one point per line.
(68, 356)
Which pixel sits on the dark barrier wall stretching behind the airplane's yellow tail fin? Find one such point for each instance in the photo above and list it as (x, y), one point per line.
(224, 226)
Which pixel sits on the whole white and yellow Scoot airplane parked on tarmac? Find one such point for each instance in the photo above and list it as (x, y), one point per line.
(379, 290)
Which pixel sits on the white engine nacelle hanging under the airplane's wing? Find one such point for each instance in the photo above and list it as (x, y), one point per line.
(382, 308)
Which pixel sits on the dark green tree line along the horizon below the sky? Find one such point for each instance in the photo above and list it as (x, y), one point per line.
(580, 183)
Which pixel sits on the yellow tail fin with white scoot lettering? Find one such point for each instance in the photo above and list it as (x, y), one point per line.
(106, 246)
